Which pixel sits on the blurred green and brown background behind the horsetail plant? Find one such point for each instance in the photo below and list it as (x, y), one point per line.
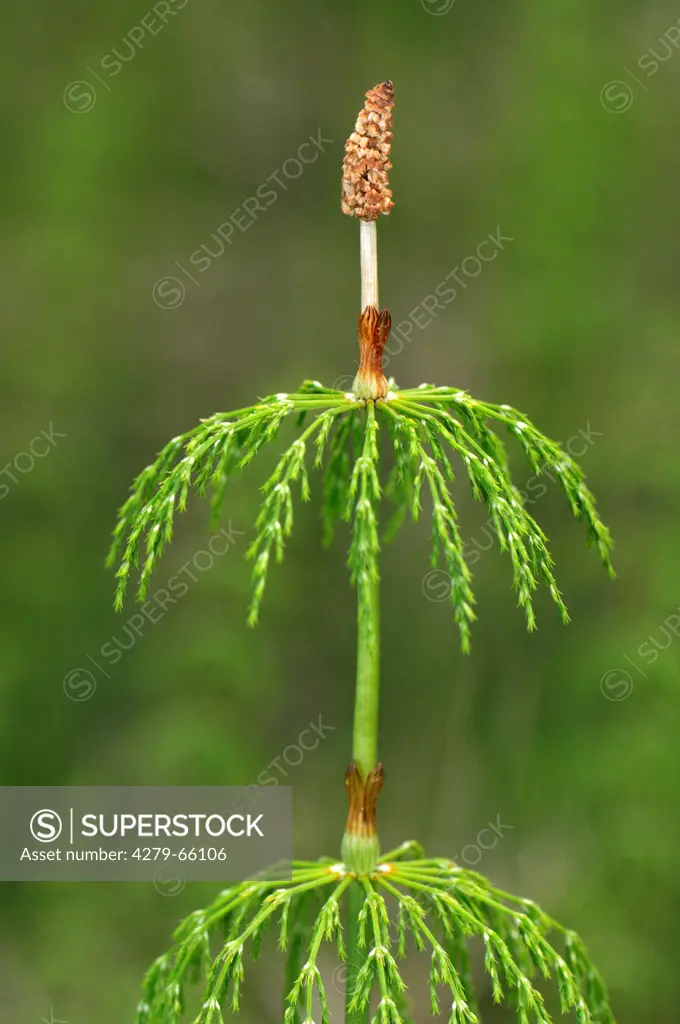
(556, 123)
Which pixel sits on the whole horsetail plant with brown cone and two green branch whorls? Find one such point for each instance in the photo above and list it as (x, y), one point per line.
(372, 907)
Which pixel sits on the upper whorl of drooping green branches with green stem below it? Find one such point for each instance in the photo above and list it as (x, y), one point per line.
(429, 428)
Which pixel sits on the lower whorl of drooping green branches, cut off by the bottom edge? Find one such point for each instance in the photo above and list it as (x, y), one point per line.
(434, 904)
